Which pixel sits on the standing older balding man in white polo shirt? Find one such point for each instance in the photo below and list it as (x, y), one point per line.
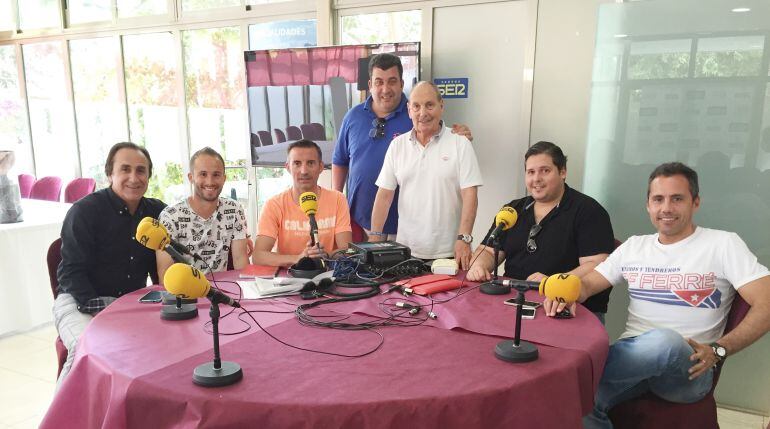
(438, 176)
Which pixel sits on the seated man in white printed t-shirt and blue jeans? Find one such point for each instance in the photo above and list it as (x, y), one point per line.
(682, 282)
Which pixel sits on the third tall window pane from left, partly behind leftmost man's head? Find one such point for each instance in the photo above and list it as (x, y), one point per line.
(99, 108)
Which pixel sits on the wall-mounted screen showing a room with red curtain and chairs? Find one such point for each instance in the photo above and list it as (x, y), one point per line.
(301, 93)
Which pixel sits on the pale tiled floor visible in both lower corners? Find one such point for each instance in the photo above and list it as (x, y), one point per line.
(28, 367)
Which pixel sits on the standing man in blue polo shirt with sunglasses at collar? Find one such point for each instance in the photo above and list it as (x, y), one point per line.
(365, 136)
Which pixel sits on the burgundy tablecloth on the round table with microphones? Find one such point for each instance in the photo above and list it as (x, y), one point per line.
(134, 370)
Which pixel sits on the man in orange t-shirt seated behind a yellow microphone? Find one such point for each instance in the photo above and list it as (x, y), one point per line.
(284, 229)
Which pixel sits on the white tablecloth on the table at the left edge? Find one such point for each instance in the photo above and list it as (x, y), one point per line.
(25, 290)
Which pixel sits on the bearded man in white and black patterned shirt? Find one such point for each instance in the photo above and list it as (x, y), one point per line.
(210, 226)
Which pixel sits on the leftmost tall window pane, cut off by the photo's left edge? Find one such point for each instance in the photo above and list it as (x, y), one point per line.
(14, 134)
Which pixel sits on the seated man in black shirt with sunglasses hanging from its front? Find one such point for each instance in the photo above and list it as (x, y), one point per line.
(558, 230)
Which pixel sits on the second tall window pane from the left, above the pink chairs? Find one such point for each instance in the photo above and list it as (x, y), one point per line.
(50, 111)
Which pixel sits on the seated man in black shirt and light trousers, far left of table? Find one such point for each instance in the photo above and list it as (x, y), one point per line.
(101, 259)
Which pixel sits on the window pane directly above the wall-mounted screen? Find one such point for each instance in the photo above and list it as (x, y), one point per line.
(404, 26)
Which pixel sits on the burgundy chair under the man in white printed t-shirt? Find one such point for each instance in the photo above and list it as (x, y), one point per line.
(649, 411)
